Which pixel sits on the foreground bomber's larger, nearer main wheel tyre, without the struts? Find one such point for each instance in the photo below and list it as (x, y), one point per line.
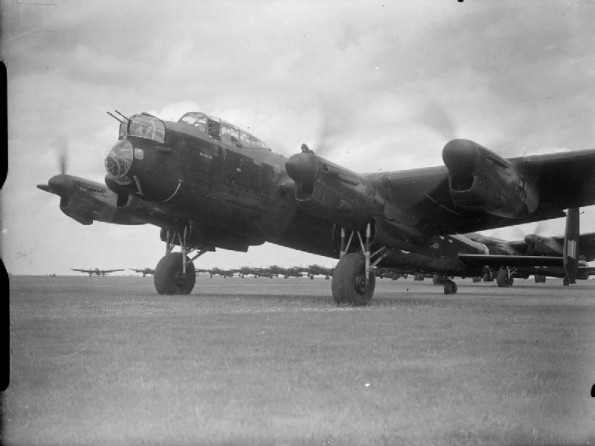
(349, 284)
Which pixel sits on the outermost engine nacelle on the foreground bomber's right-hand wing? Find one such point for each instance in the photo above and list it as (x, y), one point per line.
(480, 180)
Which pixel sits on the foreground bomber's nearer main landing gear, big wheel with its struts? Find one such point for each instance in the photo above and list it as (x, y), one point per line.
(353, 280)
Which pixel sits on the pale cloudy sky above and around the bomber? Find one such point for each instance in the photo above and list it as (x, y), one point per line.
(372, 85)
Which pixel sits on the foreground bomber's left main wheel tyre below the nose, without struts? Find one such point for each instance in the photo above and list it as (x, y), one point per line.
(169, 278)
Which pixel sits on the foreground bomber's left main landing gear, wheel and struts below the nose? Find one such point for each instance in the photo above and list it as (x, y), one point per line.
(175, 272)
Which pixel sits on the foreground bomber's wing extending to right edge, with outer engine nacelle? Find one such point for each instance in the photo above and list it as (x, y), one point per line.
(516, 191)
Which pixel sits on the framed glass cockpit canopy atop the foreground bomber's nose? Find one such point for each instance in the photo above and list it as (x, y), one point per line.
(221, 130)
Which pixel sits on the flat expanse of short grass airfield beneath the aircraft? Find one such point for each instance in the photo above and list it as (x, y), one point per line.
(105, 360)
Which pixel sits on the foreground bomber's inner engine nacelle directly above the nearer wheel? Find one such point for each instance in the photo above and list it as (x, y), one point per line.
(328, 191)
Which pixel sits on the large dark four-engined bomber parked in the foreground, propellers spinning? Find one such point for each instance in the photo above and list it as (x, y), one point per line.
(208, 184)
